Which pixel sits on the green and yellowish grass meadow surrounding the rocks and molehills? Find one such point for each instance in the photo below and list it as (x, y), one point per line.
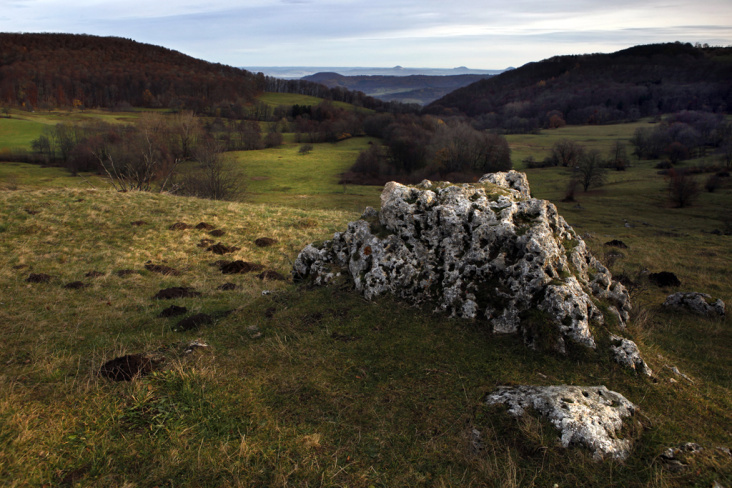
(305, 386)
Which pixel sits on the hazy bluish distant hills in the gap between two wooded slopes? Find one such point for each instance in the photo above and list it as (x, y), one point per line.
(420, 89)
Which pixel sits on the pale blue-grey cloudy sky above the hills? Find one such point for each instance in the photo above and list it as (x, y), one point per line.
(478, 34)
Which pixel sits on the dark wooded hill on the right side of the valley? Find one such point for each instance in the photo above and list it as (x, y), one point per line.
(599, 88)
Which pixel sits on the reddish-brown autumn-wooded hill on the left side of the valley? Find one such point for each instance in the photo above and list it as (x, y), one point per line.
(62, 69)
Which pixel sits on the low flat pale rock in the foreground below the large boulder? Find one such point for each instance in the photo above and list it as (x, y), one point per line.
(591, 415)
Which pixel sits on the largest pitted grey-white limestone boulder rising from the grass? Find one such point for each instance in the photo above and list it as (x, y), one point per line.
(483, 251)
